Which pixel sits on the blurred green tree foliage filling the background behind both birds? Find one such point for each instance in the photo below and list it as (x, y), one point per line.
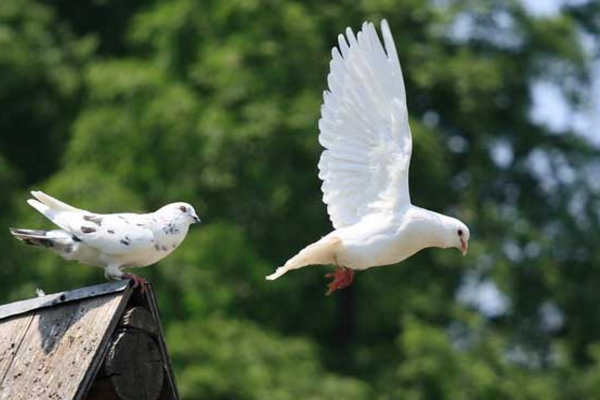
(128, 105)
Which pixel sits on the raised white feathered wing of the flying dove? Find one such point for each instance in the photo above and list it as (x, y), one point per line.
(364, 129)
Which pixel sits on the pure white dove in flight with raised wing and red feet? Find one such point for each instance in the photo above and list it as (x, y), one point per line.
(364, 167)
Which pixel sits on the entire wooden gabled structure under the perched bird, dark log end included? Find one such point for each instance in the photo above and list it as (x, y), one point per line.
(101, 342)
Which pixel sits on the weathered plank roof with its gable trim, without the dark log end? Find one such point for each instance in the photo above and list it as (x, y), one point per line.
(52, 347)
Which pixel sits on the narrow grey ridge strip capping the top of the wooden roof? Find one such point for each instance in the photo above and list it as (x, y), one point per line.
(21, 307)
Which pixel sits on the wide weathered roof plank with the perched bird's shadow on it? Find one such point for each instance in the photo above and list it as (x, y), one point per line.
(58, 349)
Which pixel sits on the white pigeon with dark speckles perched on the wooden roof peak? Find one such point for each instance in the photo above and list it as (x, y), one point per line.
(110, 241)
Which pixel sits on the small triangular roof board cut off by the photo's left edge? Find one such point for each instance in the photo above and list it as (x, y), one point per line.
(12, 332)
